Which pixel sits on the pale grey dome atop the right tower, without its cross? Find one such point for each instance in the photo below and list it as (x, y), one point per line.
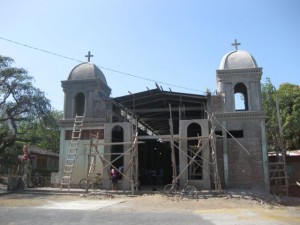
(237, 60)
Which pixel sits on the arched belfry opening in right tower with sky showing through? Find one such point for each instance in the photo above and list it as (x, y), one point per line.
(241, 97)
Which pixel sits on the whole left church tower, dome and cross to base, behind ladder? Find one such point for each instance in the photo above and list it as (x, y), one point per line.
(86, 94)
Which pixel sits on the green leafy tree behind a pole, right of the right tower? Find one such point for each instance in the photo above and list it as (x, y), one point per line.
(288, 96)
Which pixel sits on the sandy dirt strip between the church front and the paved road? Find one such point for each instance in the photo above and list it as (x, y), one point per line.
(157, 202)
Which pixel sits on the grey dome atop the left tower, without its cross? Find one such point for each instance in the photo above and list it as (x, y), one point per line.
(85, 71)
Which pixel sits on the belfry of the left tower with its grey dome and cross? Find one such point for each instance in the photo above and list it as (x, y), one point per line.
(86, 92)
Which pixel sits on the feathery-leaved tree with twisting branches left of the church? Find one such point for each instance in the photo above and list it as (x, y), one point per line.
(21, 104)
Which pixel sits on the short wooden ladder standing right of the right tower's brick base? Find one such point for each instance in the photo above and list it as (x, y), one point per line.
(279, 184)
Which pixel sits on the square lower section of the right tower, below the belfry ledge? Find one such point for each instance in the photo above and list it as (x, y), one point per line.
(241, 160)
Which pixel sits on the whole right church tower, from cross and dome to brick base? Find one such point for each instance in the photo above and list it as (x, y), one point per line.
(241, 121)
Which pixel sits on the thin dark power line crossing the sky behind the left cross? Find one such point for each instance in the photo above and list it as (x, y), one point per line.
(105, 68)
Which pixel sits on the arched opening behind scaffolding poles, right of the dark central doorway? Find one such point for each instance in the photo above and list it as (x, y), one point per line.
(195, 169)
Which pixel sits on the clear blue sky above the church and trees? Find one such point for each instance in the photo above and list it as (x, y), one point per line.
(137, 43)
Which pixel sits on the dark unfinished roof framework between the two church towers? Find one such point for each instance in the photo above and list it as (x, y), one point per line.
(152, 108)
